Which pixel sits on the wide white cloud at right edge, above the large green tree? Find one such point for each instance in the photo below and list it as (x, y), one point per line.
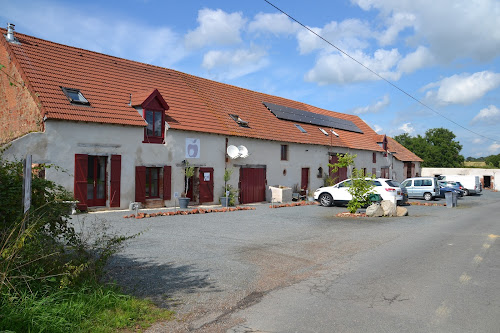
(462, 88)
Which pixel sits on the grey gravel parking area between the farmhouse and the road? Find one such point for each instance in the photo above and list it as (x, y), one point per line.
(205, 266)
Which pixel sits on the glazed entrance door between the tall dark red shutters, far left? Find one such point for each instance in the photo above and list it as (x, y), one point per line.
(96, 181)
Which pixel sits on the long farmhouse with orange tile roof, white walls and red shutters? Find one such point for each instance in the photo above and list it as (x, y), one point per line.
(121, 131)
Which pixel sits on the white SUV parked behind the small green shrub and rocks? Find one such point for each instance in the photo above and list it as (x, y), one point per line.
(338, 194)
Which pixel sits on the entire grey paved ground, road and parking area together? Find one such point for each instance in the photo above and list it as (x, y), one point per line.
(301, 269)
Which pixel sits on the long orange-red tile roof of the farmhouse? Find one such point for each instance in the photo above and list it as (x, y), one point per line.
(196, 104)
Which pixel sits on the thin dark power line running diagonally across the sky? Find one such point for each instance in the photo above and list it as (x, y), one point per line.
(375, 73)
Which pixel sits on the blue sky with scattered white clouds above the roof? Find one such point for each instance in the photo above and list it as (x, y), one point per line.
(445, 53)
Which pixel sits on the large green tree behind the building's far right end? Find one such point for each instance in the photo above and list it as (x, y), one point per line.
(438, 148)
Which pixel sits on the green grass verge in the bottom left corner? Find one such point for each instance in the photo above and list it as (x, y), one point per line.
(89, 308)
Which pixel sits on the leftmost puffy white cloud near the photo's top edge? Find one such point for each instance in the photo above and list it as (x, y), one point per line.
(216, 27)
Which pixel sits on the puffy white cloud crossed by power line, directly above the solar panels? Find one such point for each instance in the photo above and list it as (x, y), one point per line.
(339, 69)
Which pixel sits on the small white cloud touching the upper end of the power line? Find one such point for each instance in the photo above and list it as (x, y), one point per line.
(277, 24)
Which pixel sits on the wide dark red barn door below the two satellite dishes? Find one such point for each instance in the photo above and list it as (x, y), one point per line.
(252, 185)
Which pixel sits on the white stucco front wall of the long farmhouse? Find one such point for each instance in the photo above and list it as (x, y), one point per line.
(62, 140)
